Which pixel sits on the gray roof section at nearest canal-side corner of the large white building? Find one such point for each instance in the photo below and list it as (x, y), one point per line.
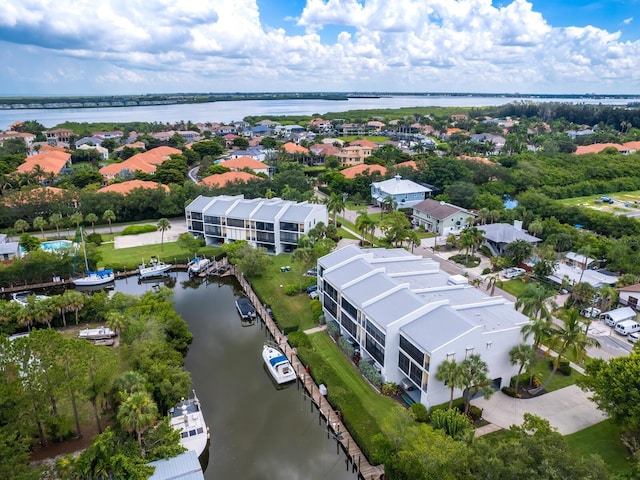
(436, 328)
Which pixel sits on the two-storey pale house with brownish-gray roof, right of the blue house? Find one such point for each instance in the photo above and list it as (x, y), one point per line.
(441, 218)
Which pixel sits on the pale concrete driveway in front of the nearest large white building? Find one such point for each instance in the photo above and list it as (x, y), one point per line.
(568, 409)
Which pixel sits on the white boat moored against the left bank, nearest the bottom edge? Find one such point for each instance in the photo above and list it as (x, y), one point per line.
(187, 418)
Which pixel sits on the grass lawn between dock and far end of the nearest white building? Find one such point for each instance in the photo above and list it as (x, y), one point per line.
(291, 312)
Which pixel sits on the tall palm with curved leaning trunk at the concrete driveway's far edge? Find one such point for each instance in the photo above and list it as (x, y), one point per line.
(568, 338)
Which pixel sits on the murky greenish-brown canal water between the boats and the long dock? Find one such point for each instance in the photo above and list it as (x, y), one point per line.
(257, 431)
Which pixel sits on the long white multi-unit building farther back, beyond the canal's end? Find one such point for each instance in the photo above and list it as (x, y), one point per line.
(273, 224)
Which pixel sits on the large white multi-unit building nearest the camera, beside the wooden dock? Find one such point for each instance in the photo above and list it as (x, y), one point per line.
(407, 316)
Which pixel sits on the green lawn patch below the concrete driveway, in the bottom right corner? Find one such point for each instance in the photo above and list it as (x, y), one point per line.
(604, 439)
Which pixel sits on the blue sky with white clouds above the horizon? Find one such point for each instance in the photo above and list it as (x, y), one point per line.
(148, 46)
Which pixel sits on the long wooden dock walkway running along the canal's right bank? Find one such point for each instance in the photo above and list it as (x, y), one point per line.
(355, 458)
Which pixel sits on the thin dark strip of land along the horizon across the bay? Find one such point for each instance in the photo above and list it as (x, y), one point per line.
(66, 102)
